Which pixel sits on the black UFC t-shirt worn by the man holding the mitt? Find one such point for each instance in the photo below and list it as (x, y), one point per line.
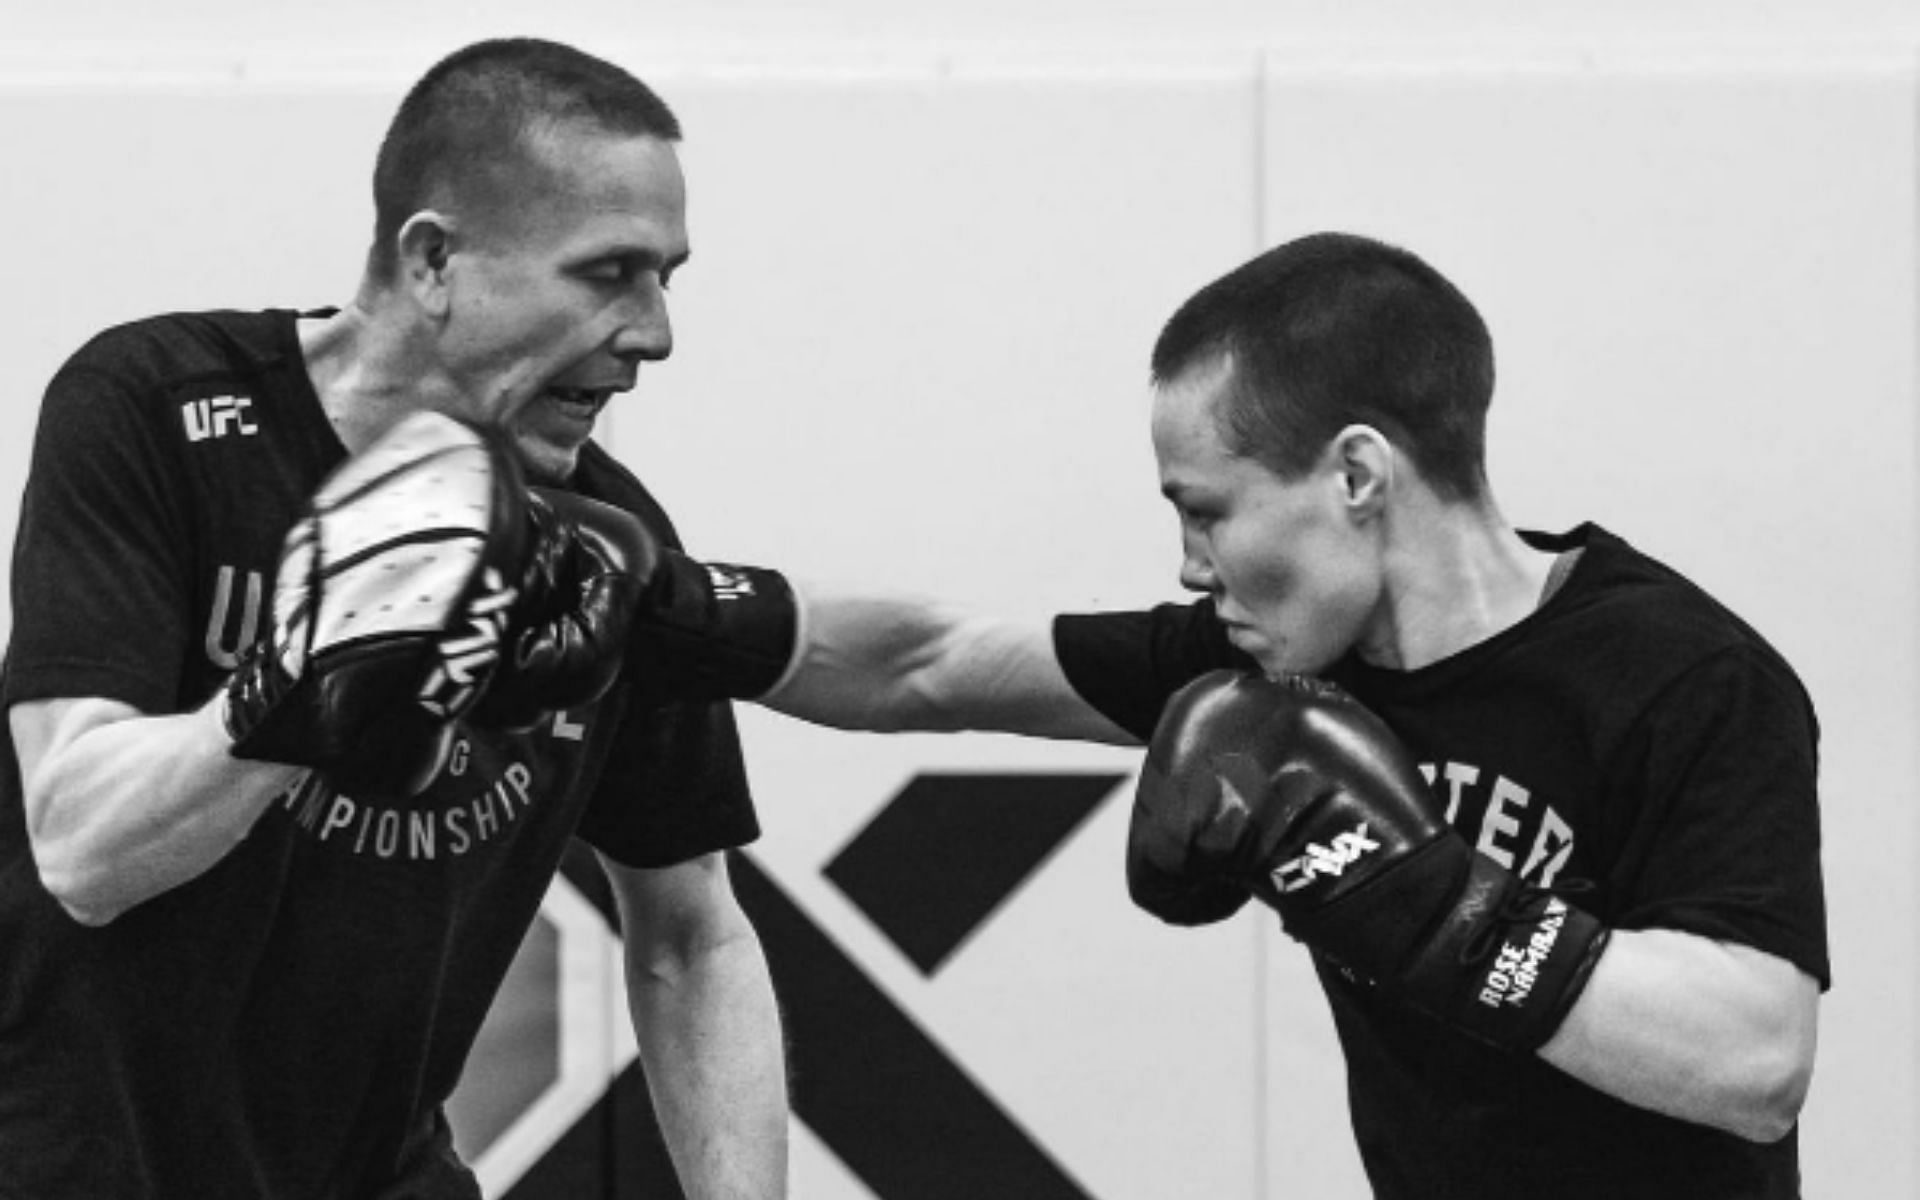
(289, 1022)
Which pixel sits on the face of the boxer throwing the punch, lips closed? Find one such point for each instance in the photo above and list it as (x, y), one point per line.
(1291, 569)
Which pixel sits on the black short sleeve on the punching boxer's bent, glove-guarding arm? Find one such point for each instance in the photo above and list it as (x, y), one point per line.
(1727, 838)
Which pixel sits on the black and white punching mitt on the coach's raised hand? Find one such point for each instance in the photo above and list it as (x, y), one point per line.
(391, 602)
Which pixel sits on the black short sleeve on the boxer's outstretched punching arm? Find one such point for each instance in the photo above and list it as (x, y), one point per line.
(1128, 665)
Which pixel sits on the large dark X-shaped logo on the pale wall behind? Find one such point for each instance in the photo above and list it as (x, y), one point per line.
(932, 871)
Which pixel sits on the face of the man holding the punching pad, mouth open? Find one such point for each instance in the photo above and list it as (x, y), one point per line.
(562, 289)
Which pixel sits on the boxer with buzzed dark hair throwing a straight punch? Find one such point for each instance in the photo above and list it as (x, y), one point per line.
(1579, 863)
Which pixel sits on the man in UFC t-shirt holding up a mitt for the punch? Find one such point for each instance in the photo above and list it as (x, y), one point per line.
(231, 974)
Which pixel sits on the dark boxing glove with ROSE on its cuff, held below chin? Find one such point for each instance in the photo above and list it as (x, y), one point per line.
(1295, 794)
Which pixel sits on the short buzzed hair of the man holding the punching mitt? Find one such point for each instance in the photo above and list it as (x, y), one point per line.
(475, 112)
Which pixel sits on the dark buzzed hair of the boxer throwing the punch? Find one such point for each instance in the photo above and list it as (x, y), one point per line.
(1332, 331)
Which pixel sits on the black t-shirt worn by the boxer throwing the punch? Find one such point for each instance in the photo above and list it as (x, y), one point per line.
(1631, 734)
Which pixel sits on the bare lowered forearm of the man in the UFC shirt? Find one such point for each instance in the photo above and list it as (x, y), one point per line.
(715, 1061)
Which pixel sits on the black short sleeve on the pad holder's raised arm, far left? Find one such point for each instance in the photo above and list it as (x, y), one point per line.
(101, 585)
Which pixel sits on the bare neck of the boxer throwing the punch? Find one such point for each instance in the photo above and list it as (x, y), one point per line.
(1456, 575)
